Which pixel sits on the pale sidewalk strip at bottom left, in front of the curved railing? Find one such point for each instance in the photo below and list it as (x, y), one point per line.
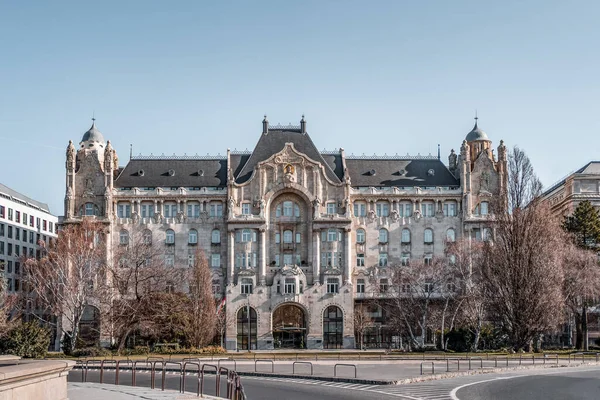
(96, 391)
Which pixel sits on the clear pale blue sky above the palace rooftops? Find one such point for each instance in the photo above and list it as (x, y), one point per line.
(371, 76)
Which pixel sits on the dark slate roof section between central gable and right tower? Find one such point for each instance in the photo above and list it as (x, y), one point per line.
(425, 171)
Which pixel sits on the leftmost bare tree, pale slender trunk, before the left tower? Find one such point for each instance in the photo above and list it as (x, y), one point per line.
(65, 278)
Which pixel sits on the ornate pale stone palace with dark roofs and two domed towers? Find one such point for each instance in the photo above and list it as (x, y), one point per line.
(295, 236)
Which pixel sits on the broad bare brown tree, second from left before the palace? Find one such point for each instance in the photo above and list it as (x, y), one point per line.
(137, 280)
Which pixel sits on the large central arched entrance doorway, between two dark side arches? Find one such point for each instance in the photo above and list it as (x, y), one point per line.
(289, 327)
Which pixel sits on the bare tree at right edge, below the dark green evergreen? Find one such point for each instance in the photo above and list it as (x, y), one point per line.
(581, 283)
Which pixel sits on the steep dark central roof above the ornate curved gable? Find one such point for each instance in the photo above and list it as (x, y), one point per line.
(273, 141)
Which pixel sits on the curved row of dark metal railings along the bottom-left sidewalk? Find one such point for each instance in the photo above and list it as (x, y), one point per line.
(234, 388)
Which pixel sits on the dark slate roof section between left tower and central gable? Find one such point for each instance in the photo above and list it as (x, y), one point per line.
(173, 172)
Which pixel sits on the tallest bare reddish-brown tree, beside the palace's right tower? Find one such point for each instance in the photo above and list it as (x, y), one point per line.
(522, 267)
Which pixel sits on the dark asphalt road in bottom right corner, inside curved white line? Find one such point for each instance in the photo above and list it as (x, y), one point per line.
(547, 385)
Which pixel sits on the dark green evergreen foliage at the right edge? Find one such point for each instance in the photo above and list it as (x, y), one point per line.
(584, 224)
